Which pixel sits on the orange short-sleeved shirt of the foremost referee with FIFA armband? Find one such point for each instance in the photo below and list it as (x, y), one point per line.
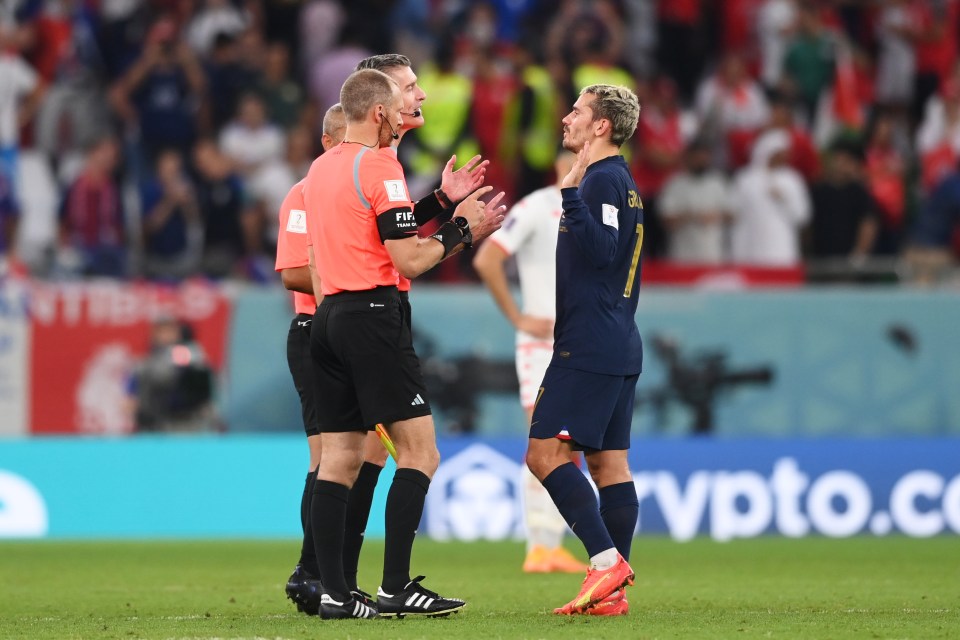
(345, 191)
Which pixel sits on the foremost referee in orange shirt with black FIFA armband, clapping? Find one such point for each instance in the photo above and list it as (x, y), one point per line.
(363, 235)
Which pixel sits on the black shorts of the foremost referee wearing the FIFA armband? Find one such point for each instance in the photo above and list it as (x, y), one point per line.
(364, 361)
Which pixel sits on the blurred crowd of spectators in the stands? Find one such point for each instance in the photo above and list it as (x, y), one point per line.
(156, 138)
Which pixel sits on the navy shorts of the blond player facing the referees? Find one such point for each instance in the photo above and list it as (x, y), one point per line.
(592, 411)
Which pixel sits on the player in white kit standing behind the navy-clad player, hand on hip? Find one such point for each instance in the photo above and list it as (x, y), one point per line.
(529, 234)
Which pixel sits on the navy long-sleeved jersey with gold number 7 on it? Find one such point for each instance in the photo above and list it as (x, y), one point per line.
(598, 272)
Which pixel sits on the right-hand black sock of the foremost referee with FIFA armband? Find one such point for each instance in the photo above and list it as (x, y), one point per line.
(404, 509)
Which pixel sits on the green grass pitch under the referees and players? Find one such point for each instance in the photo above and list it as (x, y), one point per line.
(763, 588)
